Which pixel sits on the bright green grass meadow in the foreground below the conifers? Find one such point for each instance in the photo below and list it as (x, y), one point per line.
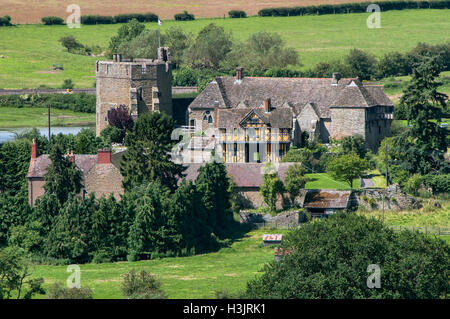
(192, 277)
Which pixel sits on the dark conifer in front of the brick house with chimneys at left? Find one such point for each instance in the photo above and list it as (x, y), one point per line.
(62, 178)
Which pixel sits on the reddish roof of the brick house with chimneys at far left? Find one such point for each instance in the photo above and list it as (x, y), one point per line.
(38, 166)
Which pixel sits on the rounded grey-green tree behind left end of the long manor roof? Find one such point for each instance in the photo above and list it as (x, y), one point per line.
(210, 47)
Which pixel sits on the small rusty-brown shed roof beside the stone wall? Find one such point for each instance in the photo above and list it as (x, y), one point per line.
(317, 198)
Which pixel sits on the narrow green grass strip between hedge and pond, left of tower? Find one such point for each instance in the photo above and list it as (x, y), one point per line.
(12, 117)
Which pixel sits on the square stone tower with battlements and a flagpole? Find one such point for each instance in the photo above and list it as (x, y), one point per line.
(142, 85)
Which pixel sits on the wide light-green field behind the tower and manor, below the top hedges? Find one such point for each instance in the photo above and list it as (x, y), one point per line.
(31, 50)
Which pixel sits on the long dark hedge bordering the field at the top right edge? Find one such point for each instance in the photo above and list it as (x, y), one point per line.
(352, 8)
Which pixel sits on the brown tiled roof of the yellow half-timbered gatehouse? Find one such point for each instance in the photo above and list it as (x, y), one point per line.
(231, 118)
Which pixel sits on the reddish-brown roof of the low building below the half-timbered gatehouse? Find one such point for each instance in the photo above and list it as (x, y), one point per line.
(244, 174)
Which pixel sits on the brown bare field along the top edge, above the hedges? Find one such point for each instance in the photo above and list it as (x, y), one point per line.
(31, 11)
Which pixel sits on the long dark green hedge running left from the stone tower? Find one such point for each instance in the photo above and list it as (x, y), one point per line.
(76, 102)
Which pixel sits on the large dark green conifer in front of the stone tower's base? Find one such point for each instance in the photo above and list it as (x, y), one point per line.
(147, 157)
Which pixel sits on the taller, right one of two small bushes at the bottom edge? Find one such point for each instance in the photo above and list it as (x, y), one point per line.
(141, 285)
